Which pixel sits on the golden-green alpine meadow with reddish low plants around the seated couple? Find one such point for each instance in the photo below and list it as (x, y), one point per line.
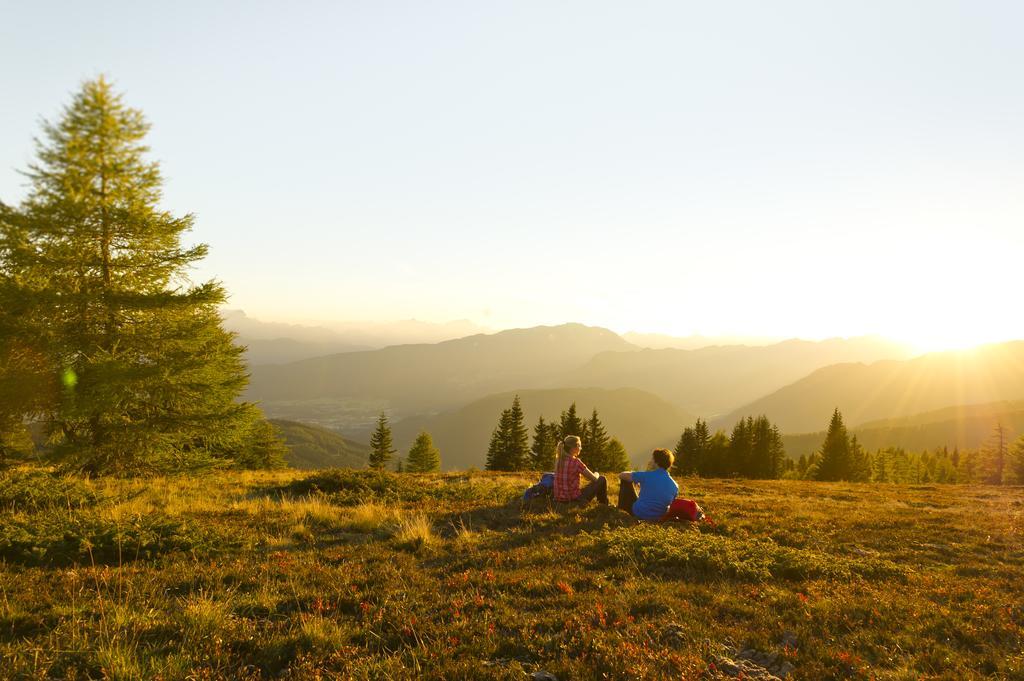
(356, 575)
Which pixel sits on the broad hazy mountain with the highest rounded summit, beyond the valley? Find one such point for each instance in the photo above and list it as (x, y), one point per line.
(423, 378)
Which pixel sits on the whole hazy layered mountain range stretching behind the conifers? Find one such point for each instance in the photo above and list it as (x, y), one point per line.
(456, 390)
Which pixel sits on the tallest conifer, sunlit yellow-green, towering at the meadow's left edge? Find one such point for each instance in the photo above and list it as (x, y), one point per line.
(150, 377)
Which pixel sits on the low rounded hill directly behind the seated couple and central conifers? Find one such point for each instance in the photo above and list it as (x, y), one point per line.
(641, 420)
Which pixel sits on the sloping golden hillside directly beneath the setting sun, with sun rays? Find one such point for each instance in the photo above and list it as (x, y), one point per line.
(891, 390)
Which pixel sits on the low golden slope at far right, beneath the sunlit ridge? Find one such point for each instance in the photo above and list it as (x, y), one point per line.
(965, 428)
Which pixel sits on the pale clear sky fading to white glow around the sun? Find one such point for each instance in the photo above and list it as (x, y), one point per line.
(807, 169)
